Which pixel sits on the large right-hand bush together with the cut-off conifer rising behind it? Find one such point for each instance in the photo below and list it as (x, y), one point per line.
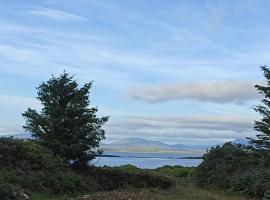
(238, 168)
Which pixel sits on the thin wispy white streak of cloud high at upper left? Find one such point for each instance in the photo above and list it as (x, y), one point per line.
(56, 14)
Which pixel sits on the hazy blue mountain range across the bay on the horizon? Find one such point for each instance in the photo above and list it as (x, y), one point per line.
(139, 143)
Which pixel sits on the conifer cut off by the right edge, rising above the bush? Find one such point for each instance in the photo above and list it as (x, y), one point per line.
(263, 126)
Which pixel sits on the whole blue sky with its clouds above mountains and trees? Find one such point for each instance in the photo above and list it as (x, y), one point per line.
(178, 71)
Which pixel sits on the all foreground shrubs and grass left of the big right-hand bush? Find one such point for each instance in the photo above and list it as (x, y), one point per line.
(30, 170)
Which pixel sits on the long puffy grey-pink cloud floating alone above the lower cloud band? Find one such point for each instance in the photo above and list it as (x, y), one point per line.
(226, 91)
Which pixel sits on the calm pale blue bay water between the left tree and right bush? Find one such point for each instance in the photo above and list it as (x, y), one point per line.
(147, 160)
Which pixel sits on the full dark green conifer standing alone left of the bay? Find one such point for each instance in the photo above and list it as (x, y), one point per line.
(66, 123)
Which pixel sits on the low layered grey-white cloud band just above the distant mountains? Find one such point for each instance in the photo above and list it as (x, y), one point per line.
(183, 128)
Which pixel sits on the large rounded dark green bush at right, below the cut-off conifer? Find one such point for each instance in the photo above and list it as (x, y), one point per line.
(236, 168)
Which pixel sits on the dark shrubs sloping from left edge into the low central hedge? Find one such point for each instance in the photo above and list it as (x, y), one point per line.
(27, 168)
